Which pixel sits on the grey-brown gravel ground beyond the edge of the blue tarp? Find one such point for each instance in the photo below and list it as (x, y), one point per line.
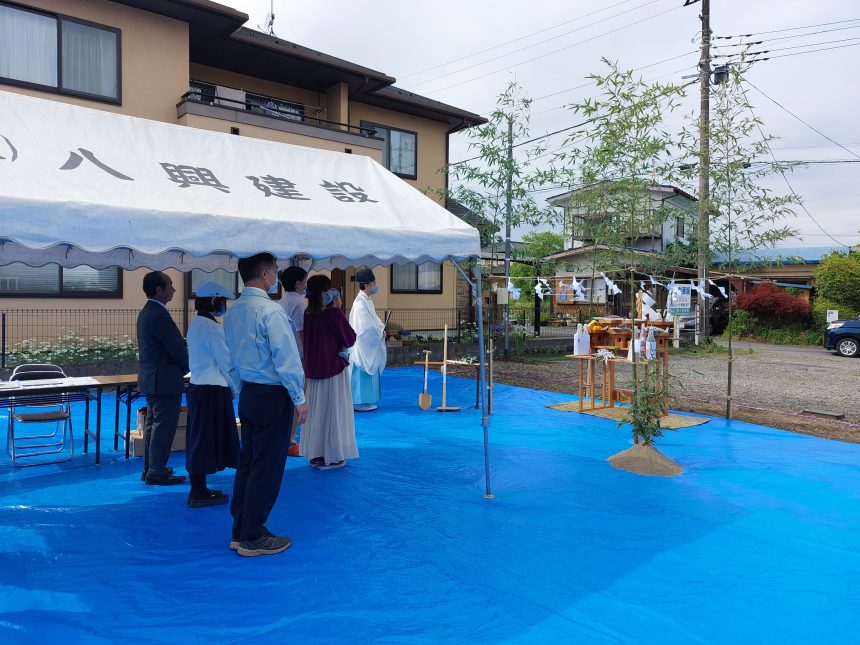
(772, 385)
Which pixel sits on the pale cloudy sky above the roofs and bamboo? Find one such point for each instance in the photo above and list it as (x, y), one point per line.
(464, 53)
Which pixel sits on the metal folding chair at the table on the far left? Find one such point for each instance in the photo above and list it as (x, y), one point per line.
(50, 409)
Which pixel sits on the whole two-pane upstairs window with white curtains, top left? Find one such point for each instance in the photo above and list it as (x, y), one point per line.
(60, 53)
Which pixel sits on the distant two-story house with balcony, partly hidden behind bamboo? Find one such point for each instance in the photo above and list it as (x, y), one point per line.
(585, 257)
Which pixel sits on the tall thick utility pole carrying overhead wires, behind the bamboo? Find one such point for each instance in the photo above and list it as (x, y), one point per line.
(704, 160)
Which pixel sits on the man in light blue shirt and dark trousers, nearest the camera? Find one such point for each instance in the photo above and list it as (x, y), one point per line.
(264, 352)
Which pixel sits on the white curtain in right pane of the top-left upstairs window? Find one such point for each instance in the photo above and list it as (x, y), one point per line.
(89, 60)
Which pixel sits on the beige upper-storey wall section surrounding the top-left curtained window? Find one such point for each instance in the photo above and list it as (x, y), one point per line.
(153, 54)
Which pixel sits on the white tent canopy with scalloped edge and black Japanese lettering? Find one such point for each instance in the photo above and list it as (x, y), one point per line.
(82, 186)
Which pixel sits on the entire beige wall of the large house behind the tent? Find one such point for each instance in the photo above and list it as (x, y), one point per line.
(155, 74)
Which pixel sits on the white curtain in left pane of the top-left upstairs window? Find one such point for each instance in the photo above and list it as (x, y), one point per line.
(28, 46)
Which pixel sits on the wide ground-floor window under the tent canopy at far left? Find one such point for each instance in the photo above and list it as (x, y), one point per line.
(17, 280)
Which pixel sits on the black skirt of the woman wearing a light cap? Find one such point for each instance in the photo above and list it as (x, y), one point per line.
(212, 439)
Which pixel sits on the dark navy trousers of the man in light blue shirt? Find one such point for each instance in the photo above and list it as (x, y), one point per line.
(266, 413)
